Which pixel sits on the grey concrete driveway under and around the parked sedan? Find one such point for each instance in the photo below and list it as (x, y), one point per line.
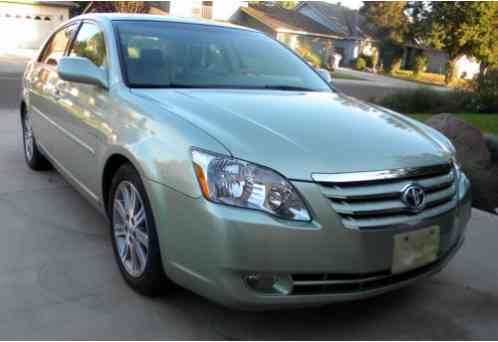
(58, 279)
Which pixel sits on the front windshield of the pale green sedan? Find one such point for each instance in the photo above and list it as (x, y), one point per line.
(159, 54)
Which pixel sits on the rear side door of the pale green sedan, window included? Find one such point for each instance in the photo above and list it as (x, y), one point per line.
(44, 100)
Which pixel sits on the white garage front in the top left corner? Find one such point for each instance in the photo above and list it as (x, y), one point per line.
(26, 24)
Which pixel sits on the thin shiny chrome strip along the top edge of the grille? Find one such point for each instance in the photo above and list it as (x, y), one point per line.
(352, 177)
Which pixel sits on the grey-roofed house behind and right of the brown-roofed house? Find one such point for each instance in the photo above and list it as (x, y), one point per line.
(356, 38)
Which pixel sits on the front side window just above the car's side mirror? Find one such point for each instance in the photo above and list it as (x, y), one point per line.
(90, 43)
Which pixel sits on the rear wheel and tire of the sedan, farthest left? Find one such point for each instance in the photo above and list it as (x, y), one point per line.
(34, 158)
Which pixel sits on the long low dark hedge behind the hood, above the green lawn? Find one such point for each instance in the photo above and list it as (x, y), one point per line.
(431, 101)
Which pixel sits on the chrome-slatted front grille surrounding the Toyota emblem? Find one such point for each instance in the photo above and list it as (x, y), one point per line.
(373, 200)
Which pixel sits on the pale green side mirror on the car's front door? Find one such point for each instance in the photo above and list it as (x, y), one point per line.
(81, 70)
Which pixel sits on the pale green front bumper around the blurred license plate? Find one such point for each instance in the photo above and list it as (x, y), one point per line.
(210, 249)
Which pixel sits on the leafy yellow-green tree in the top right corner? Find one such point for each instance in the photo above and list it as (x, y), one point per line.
(462, 28)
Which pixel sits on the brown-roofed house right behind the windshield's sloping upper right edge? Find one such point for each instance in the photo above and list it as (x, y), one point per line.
(304, 35)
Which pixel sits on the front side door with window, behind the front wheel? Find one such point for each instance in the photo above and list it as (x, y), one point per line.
(82, 110)
